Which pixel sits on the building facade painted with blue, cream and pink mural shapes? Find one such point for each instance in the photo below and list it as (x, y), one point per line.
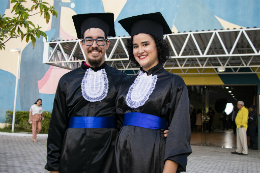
(38, 80)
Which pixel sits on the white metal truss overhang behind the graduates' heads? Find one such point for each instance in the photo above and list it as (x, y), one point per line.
(206, 52)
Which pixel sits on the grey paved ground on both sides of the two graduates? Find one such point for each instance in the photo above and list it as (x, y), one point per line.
(18, 154)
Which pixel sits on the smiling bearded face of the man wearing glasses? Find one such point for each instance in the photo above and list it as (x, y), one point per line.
(95, 54)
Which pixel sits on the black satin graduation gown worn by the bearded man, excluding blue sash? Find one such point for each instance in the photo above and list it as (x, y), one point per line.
(82, 150)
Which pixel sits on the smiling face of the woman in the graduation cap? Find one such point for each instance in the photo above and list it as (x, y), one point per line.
(145, 51)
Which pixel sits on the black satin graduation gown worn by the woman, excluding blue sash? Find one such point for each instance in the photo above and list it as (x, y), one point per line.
(142, 150)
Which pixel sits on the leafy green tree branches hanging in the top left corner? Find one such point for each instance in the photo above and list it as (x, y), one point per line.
(19, 24)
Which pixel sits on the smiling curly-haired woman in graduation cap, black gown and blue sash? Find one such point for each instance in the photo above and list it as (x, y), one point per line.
(151, 102)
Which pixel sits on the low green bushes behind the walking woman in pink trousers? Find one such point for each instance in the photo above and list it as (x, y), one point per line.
(21, 121)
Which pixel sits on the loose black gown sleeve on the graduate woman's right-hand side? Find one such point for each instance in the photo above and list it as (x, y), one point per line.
(179, 129)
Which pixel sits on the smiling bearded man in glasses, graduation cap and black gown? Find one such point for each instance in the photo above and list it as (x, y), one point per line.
(82, 133)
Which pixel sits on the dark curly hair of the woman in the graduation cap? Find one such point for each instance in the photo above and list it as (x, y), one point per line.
(161, 45)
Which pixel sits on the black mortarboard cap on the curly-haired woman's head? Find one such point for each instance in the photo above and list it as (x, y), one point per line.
(152, 23)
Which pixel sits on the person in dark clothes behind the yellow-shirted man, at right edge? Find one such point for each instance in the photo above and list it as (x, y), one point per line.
(252, 128)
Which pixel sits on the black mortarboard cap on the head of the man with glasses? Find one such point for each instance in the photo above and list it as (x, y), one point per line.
(104, 21)
